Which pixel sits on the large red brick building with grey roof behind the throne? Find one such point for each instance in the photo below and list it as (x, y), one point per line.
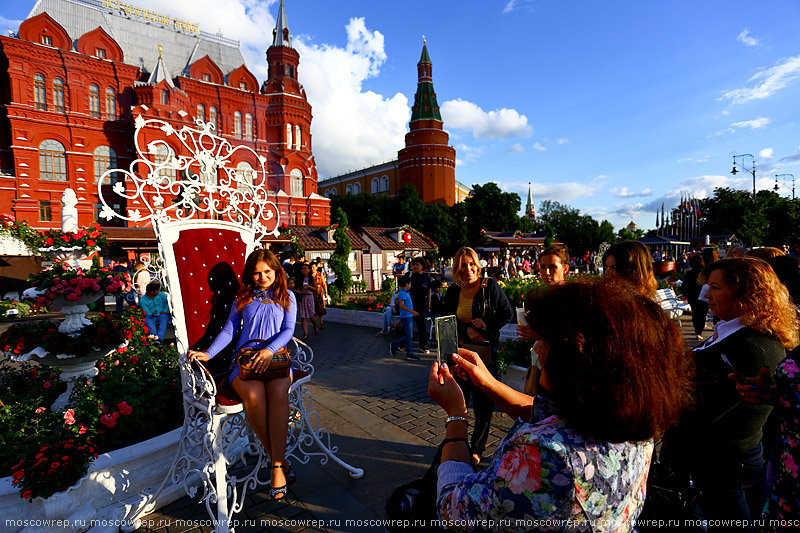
(70, 93)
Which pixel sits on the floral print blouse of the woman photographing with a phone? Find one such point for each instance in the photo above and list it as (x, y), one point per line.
(545, 476)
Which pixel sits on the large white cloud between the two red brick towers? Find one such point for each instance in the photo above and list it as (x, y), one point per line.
(352, 128)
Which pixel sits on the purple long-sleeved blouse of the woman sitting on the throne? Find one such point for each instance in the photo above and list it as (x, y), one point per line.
(259, 320)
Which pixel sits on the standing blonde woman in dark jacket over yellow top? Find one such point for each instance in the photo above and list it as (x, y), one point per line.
(482, 308)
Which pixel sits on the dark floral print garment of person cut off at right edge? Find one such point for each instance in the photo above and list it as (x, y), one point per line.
(784, 504)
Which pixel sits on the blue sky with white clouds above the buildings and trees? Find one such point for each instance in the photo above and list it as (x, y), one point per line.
(611, 107)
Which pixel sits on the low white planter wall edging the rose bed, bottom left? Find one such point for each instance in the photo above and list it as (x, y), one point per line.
(116, 483)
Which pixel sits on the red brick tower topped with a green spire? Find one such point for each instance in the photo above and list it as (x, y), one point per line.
(427, 161)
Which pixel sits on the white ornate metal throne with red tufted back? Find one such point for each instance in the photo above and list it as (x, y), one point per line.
(207, 218)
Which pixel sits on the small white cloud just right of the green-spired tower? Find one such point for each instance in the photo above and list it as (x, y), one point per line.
(497, 124)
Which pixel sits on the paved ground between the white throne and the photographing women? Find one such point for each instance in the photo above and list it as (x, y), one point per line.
(378, 413)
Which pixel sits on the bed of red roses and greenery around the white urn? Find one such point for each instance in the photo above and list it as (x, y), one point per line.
(135, 396)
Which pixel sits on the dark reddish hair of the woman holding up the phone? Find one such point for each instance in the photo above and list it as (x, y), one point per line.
(616, 365)
